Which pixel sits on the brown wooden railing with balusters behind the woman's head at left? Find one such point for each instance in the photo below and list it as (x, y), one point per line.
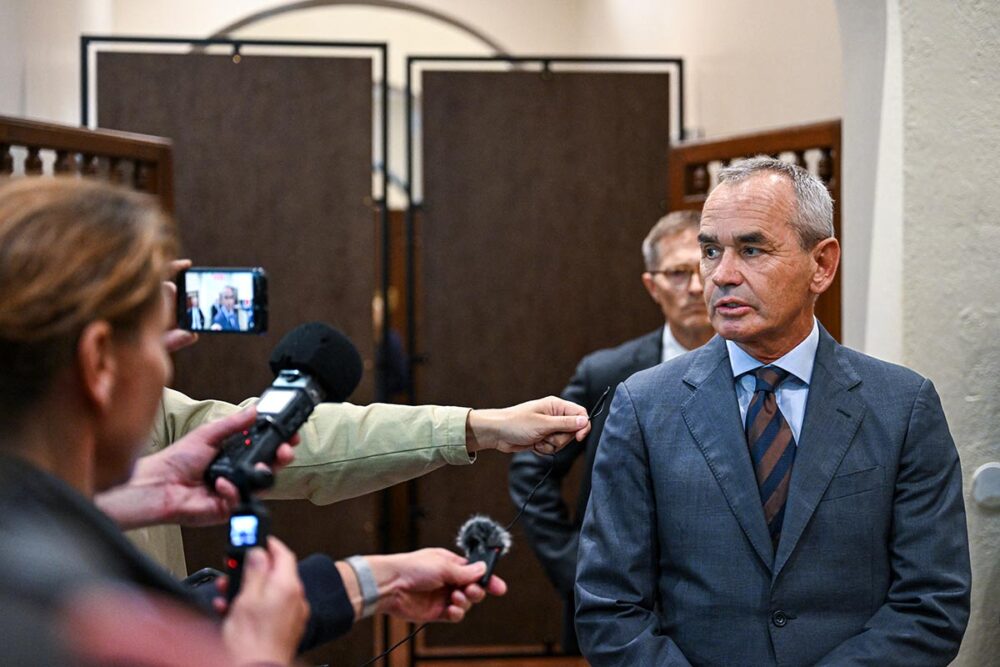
(33, 148)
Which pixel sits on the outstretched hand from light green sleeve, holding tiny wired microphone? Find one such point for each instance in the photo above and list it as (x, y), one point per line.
(545, 425)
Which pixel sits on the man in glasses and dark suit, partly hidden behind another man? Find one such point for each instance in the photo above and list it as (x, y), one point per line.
(671, 256)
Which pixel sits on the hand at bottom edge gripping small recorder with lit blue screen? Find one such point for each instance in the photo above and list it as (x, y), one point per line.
(265, 622)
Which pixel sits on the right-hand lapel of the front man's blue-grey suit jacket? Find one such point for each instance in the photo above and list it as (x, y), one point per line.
(833, 415)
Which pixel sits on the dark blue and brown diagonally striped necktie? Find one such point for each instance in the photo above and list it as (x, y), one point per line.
(772, 447)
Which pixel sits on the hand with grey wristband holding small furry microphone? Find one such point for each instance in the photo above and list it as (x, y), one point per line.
(424, 586)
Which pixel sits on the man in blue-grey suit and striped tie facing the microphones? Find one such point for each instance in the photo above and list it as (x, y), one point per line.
(773, 497)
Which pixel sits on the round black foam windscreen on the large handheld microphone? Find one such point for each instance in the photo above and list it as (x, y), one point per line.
(324, 353)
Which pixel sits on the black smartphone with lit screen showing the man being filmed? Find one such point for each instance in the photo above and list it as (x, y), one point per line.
(222, 300)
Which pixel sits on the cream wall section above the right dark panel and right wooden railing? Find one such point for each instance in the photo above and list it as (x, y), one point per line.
(750, 65)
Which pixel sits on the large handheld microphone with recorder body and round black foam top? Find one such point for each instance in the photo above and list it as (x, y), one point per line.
(312, 363)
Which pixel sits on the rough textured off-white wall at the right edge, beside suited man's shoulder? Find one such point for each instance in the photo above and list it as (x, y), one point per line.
(951, 290)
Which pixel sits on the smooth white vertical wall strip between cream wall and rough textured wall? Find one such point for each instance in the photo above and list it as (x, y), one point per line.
(872, 180)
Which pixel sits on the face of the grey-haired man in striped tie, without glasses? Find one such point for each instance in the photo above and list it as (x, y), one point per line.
(760, 285)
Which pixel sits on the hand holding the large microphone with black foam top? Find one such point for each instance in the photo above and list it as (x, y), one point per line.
(169, 486)
